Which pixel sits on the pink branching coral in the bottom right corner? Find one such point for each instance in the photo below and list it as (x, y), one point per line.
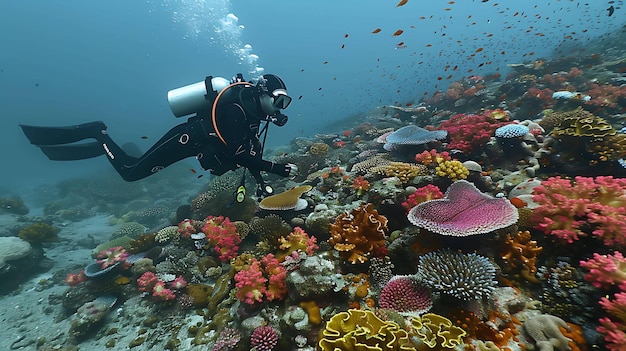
(614, 328)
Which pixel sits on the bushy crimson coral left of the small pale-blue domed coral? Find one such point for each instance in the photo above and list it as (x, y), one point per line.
(468, 133)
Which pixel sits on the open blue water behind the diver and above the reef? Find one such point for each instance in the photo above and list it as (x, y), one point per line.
(75, 61)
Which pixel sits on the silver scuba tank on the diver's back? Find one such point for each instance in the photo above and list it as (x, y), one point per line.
(197, 97)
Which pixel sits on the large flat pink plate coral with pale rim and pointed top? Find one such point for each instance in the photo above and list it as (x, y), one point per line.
(464, 211)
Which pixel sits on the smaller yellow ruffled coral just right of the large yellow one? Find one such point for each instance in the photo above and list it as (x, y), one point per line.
(436, 331)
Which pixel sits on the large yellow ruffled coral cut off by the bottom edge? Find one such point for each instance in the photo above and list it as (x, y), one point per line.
(363, 330)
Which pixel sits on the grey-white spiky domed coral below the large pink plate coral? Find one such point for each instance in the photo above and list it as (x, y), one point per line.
(464, 276)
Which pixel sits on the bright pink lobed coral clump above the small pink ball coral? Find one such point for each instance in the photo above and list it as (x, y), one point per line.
(265, 279)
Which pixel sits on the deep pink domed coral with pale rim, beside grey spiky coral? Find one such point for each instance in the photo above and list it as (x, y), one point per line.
(403, 294)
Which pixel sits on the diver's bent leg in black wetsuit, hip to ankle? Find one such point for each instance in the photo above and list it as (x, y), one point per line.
(175, 145)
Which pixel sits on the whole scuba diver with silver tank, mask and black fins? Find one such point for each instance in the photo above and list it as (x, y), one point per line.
(223, 132)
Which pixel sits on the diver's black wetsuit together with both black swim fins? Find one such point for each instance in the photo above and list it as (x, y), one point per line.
(196, 137)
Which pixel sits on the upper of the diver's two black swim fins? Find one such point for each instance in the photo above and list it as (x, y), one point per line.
(62, 135)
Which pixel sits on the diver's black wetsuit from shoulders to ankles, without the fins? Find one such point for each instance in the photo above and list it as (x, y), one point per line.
(197, 137)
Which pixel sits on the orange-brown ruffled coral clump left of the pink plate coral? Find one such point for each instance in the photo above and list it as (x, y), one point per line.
(359, 234)
